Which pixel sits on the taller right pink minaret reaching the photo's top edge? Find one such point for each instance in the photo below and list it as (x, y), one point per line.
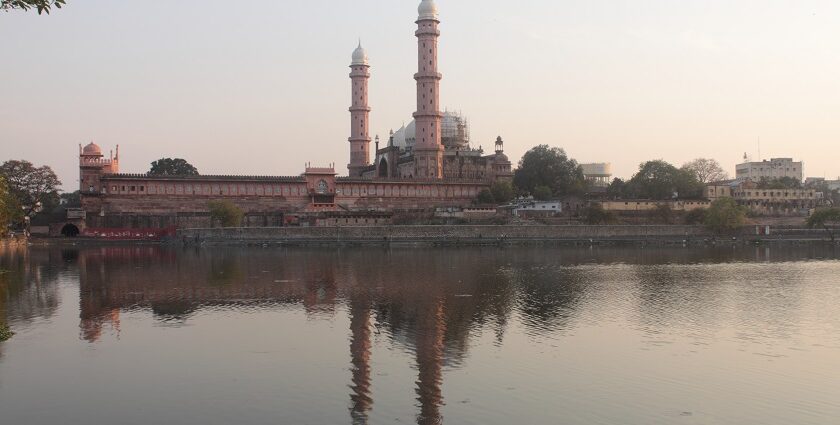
(428, 150)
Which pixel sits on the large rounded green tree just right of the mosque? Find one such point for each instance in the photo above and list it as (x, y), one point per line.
(551, 168)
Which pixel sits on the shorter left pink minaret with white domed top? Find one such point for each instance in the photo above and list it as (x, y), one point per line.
(359, 114)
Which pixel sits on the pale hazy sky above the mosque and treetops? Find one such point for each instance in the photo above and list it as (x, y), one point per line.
(261, 87)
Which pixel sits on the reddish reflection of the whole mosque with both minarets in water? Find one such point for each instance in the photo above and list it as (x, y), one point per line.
(431, 318)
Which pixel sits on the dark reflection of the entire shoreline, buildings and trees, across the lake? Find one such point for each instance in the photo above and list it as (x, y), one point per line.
(430, 303)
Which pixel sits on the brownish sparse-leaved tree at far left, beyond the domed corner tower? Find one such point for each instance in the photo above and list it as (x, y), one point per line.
(34, 188)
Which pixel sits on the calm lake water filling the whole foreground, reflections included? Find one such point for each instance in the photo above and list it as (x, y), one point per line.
(148, 335)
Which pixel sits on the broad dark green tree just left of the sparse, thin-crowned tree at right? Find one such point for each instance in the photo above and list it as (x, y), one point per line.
(660, 180)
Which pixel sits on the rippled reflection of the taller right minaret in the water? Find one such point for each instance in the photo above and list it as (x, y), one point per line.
(430, 333)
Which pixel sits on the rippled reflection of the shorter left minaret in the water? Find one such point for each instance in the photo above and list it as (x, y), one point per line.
(360, 346)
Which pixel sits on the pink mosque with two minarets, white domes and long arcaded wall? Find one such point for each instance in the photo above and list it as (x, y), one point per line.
(425, 165)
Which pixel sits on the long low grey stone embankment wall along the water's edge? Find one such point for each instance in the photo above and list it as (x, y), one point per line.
(441, 233)
